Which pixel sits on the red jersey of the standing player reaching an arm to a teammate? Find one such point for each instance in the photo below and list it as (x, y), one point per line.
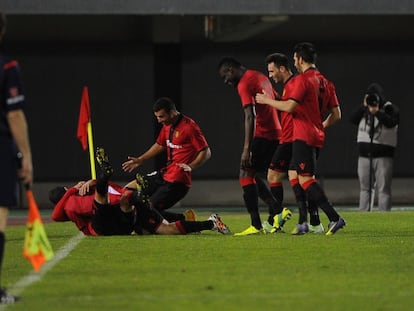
(307, 121)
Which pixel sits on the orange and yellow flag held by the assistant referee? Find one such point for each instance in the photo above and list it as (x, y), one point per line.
(37, 248)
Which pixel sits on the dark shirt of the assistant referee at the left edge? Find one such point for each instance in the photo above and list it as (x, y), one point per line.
(11, 93)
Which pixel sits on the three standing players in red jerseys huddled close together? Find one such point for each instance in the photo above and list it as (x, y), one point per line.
(289, 144)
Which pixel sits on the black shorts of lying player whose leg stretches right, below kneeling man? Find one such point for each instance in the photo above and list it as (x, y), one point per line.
(147, 219)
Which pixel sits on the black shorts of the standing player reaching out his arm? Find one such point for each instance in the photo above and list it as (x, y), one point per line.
(304, 158)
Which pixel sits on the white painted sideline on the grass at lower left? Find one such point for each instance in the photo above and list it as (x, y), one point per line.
(33, 277)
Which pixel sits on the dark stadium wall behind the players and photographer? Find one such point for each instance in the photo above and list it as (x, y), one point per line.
(129, 53)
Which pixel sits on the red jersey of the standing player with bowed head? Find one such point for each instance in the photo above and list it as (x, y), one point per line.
(267, 121)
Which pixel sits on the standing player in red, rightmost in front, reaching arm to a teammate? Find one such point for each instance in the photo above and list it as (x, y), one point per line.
(305, 103)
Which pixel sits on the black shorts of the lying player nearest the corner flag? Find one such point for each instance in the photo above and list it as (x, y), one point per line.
(109, 219)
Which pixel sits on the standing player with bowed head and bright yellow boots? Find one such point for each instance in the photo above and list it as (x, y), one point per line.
(261, 134)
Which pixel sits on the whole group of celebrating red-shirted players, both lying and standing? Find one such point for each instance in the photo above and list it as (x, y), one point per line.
(283, 136)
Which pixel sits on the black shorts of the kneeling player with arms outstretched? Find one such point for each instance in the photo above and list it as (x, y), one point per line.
(163, 194)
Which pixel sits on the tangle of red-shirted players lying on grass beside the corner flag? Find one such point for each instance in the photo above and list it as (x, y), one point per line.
(100, 207)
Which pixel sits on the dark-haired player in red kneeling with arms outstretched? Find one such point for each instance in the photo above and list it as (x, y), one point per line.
(187, 149)
